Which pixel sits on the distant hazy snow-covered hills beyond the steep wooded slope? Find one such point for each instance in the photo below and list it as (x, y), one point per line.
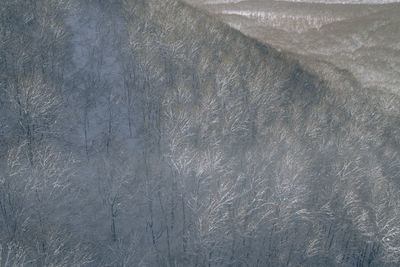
(362, 36)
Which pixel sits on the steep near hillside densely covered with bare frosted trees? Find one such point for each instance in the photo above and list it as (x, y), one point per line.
(148, 133)
